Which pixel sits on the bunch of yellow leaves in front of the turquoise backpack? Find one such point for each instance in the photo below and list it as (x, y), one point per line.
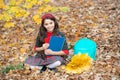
(79, 63)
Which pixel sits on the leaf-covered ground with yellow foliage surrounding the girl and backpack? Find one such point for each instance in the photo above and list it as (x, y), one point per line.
(98, 20)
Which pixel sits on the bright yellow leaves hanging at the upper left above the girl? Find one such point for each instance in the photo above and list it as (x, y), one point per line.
(21, 9)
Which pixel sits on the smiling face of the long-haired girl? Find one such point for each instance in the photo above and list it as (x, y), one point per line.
(49, 25)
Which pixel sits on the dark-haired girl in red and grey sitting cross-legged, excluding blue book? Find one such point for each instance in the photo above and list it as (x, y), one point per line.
(49, 27)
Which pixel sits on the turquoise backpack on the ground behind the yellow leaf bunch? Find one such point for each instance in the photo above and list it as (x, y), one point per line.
(85, 45)
